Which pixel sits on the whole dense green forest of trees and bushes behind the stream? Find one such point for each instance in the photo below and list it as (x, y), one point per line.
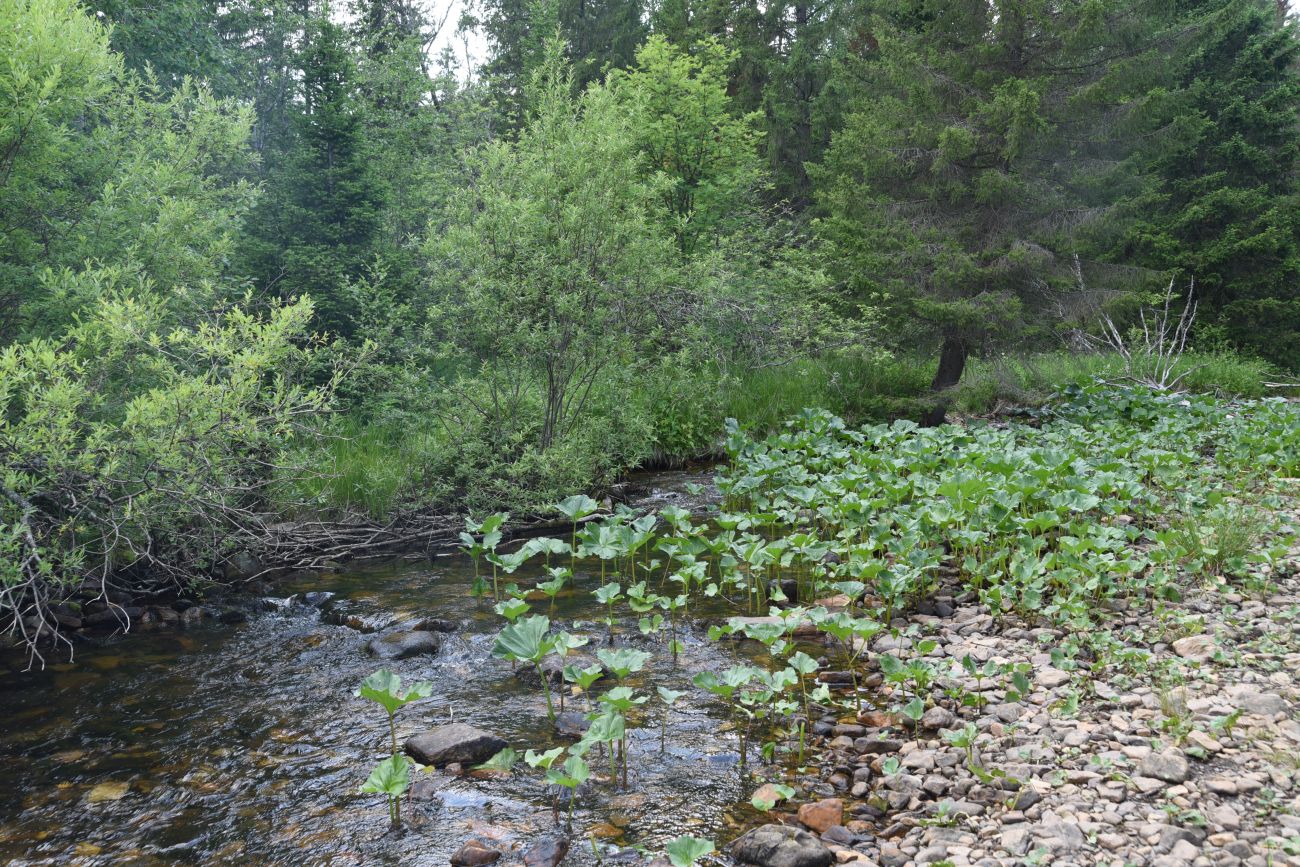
(265, 261)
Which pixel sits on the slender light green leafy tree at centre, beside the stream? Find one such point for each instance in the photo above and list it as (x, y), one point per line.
(549, 266)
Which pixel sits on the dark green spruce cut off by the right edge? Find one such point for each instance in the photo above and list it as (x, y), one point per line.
(1221, 203)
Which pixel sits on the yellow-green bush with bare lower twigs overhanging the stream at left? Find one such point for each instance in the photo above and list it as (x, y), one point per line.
(128, 444)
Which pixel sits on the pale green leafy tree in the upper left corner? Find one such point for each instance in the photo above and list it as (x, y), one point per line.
(111, 185)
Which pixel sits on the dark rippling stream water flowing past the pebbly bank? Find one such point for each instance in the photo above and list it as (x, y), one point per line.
(244, 744)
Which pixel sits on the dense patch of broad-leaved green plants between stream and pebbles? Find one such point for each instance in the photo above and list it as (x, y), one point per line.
(842, 531)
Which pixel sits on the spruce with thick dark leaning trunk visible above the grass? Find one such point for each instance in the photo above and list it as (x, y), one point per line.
(980, 142)
